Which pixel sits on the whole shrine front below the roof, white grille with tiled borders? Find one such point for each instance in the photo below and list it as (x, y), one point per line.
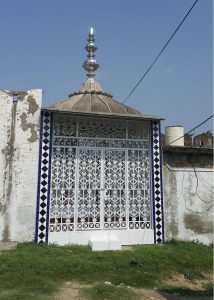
(99, 177)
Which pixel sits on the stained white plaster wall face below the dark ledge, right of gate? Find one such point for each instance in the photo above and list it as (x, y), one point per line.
(188, 209)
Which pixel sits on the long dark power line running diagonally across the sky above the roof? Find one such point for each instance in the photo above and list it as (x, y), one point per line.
(144, 75)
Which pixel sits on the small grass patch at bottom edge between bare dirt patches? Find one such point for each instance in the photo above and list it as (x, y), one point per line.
(108, 292)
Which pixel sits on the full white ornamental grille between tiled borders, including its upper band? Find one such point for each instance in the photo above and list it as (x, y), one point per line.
(100, 174)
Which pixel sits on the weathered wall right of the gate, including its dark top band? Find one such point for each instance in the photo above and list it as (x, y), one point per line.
(188, 194)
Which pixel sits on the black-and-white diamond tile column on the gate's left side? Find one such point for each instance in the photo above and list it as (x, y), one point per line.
(44, 178)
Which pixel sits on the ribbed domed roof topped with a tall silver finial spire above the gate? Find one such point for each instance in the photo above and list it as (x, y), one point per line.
(91, 98)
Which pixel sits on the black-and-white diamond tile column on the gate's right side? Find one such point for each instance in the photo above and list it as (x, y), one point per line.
(157, 184)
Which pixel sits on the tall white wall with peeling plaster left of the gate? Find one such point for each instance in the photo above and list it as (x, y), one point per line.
(19, 145)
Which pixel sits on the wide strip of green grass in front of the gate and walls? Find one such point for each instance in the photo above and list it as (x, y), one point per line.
(35, 271)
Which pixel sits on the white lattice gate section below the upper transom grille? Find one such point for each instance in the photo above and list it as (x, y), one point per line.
(99, 189)
